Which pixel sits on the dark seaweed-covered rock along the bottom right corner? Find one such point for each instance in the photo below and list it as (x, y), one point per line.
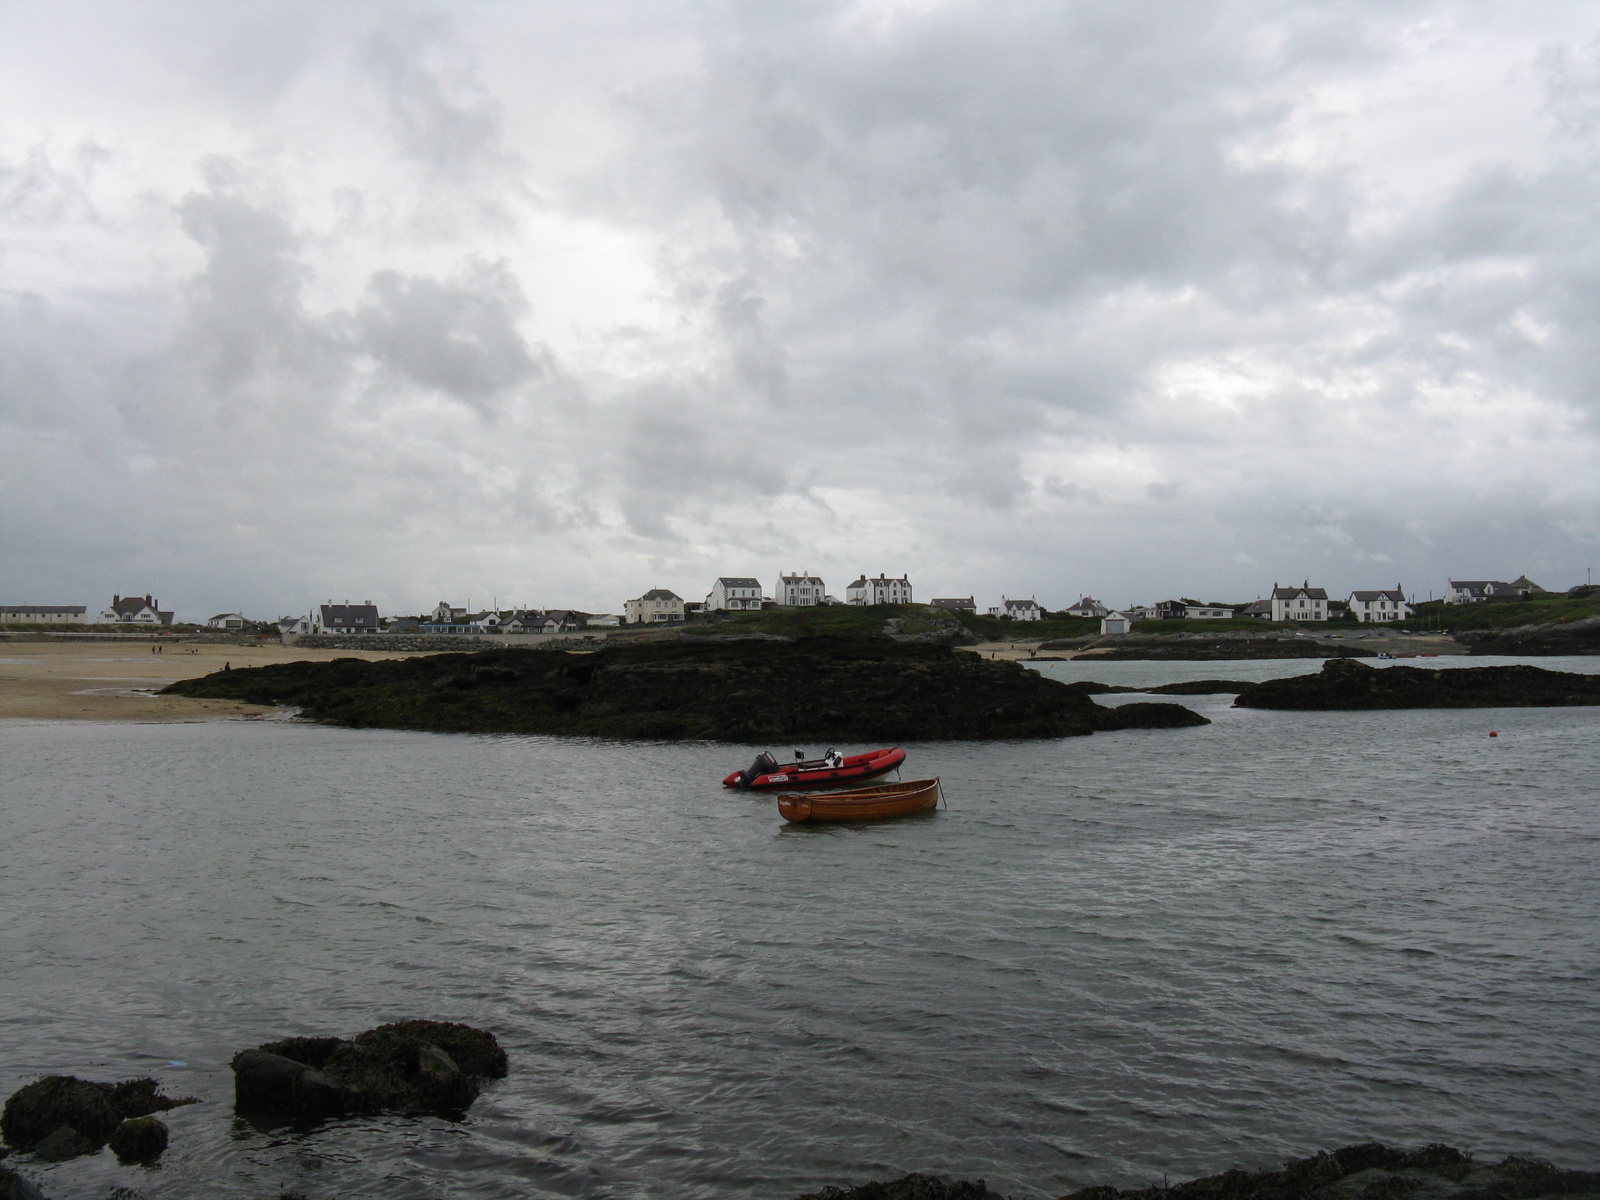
(1377, 1174)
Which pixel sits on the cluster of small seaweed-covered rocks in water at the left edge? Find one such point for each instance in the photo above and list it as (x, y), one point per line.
(63, 1118)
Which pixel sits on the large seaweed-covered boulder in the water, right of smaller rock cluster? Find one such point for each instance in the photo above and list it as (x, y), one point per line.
(407, 1068)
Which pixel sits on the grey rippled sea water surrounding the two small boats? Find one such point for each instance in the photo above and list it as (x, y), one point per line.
(1110, 959)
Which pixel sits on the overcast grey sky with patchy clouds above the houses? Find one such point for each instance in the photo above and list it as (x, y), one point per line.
(553, 303)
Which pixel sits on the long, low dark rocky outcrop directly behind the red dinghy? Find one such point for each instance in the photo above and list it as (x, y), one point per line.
(745, 692)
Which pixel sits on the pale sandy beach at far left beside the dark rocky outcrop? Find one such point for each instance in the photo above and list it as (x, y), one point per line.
(116, 681)
